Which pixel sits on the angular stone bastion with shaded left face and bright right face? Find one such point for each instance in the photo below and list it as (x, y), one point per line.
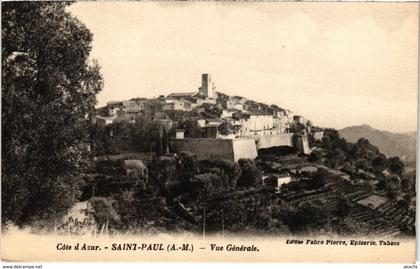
(212, 148)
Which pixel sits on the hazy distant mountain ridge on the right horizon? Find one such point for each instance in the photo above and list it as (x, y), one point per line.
(402, 145)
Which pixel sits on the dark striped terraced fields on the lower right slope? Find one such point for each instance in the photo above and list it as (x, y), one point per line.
(385, 220)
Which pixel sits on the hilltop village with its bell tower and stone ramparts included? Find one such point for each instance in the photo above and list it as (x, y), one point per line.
(213, 125)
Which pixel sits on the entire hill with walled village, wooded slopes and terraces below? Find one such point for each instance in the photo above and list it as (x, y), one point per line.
(205, 162)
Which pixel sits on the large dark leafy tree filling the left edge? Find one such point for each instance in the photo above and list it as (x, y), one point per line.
(48, 105)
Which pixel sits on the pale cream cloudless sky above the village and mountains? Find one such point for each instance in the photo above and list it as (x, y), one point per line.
(336, 64)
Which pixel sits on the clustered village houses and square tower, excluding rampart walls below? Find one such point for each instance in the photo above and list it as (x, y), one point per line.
(218, 115)
